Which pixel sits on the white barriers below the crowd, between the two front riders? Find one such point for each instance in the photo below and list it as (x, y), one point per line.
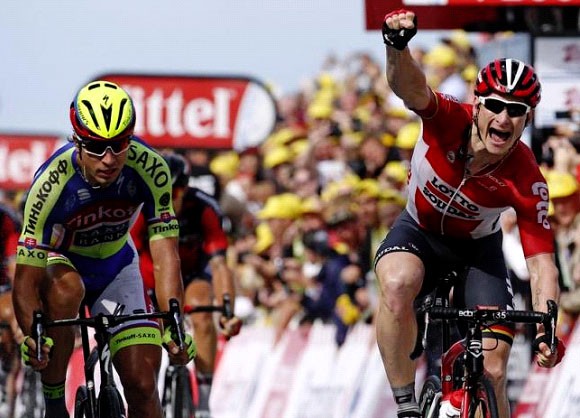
(304, 376)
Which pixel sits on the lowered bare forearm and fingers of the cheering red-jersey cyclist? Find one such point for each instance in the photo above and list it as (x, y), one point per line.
(544, 286)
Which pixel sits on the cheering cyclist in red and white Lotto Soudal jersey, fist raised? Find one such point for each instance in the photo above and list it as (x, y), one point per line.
(468, 166)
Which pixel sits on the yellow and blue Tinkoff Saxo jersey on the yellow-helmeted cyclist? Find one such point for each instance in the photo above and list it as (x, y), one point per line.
(66, 215)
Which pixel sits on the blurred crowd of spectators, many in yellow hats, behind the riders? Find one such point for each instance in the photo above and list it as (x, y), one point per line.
(306, 210)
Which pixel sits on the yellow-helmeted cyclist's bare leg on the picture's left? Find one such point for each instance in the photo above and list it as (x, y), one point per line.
(62, 297)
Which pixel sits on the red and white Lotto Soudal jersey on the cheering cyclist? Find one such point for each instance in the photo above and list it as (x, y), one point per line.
(444, 199)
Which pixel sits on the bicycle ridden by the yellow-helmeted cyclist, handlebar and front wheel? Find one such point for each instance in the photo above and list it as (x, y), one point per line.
(109, 402)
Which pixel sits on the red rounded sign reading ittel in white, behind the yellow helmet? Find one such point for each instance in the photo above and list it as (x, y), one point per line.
(199, 112)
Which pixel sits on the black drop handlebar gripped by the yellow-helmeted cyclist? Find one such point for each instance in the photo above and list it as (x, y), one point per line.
(102, 322)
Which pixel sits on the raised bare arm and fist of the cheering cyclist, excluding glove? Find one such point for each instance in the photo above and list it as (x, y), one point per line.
(405, 76)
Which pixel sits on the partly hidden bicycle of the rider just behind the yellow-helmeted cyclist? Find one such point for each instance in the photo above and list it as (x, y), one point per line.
(177, 398)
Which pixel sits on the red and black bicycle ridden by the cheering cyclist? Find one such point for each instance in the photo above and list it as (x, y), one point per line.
(462, 373)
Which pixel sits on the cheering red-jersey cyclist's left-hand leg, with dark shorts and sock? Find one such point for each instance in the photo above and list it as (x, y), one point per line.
(400, 272)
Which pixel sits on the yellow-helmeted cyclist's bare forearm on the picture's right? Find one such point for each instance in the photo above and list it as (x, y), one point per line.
(167, 271)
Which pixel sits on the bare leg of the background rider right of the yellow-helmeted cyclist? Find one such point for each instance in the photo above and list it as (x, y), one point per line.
(198, 293)
